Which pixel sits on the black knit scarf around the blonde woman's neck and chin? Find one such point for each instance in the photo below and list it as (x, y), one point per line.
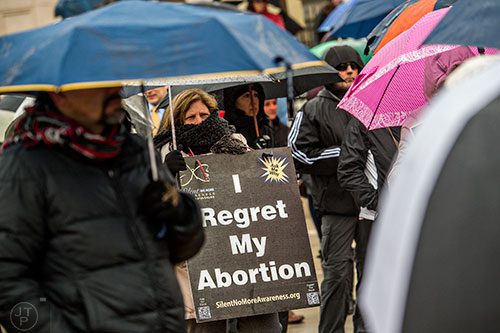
(198, 139)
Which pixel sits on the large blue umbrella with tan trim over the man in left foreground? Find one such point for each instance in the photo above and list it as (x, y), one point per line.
(121, 43)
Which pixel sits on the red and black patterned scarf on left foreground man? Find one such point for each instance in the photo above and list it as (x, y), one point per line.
(52, 128)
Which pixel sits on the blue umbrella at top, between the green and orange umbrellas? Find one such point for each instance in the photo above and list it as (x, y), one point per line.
(361, 17)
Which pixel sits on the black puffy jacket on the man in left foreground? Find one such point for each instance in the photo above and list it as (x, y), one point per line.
(73, 245)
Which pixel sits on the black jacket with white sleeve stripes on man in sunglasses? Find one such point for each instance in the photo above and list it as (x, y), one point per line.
(315, 138)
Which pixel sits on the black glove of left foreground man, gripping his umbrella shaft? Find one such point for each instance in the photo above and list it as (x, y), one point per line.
(160, 204)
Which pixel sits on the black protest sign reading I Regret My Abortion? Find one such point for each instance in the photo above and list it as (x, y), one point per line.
(257, 257)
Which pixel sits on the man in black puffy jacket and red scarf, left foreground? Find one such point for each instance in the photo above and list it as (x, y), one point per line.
(87, 239)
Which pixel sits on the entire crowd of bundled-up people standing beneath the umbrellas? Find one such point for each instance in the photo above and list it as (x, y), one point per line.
(95, 241)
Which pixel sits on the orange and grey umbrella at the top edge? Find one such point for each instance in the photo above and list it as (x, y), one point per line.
(401, 19)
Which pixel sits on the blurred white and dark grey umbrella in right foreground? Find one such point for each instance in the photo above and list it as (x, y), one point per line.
(433, 256)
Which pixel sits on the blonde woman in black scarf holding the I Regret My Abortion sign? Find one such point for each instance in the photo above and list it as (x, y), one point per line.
(200, 130)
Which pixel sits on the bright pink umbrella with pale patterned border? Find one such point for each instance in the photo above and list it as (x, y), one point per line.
(391, 86)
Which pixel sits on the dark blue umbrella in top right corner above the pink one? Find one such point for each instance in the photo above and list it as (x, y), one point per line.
(473, 23)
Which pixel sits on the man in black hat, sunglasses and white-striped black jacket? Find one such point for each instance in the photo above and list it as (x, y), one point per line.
(315, 139)
